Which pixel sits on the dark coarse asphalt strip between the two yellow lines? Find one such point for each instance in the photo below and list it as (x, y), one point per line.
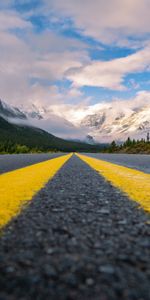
(79, 238)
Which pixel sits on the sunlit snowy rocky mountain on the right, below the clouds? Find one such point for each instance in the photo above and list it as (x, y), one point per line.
(118, 123)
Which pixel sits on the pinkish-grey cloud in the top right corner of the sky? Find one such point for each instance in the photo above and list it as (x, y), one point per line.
(108, 21)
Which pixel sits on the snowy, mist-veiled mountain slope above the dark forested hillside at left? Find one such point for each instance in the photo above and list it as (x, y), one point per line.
(43, 118)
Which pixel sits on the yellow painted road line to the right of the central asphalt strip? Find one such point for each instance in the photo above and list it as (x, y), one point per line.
(135, 184)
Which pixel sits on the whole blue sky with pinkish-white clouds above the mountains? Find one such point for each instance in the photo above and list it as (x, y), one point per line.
(66, 54)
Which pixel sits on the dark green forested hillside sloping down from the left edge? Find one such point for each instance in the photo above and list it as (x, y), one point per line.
(24, 139)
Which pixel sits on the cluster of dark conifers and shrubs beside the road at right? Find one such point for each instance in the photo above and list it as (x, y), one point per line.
(131, 146)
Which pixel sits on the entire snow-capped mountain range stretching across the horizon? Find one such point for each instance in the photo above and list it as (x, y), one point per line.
(102, 122)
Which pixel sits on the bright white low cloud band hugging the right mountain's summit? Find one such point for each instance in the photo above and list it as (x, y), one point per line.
(75, 113)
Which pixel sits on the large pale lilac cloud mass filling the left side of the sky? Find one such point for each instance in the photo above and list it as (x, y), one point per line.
(30, 63)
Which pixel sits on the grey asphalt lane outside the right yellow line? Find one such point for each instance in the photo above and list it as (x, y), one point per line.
(135, 161)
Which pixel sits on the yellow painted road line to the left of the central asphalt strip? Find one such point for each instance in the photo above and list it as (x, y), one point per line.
(18, 187)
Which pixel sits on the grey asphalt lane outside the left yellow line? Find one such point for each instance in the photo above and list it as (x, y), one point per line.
(15, 161)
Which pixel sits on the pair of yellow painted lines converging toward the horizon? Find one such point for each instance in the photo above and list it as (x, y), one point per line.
(18, 187)
